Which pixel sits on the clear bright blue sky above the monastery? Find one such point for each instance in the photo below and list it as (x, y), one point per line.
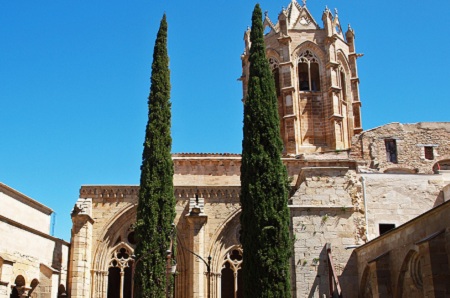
(75, 79)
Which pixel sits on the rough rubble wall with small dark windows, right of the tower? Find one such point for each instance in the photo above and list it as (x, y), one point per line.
(411, 140)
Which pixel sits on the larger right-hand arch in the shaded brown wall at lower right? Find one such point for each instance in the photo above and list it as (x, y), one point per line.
(411, 265)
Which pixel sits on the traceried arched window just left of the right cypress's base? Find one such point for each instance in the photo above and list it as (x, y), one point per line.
(231, 279)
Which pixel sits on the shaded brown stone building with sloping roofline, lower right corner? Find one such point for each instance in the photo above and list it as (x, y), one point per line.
(410, 261)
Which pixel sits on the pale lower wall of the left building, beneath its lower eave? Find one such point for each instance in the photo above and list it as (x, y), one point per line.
(28, 253)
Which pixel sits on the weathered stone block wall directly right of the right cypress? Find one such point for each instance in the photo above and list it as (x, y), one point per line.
(325, 209)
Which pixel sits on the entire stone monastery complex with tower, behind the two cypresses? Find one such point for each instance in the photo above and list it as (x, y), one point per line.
(370, 210)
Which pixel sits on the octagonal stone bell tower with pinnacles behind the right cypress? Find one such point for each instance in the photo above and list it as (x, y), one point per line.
(316, 79)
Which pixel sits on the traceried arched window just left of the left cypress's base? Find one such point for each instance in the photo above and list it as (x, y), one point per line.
(119, 274)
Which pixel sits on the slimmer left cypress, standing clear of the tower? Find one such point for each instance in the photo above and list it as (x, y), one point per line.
(156, 208)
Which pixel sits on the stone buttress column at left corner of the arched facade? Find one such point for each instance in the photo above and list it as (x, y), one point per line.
(80, 253)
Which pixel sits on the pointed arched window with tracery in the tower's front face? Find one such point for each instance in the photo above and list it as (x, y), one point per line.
(308, 71)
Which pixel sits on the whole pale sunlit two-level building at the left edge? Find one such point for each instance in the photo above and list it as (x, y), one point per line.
(32, 263)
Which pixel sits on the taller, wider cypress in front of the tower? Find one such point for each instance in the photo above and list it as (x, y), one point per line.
(264, 184)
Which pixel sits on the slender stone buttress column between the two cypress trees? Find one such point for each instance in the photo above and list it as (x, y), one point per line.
(197, 219)
